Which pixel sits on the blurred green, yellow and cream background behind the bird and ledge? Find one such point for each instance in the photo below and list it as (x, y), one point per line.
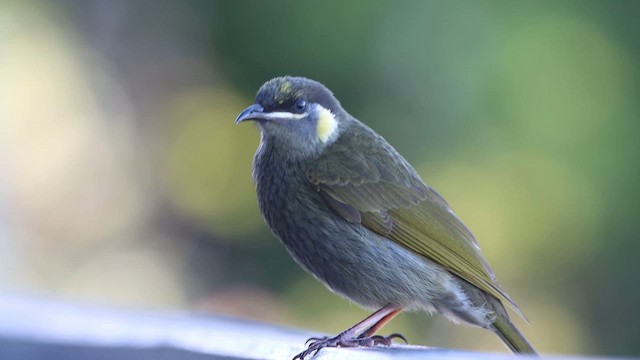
(123, 180)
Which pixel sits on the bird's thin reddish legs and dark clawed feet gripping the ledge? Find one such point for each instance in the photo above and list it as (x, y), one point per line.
(360, 334)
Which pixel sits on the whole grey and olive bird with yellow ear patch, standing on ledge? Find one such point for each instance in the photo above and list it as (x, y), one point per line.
(356, 215)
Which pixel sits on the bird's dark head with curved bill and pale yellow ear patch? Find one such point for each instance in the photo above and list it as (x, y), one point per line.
(296, 112)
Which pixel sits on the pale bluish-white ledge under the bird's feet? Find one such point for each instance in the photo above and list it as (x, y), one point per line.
(39, 328)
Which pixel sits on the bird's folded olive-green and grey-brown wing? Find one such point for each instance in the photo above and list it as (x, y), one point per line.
(384, 193)
